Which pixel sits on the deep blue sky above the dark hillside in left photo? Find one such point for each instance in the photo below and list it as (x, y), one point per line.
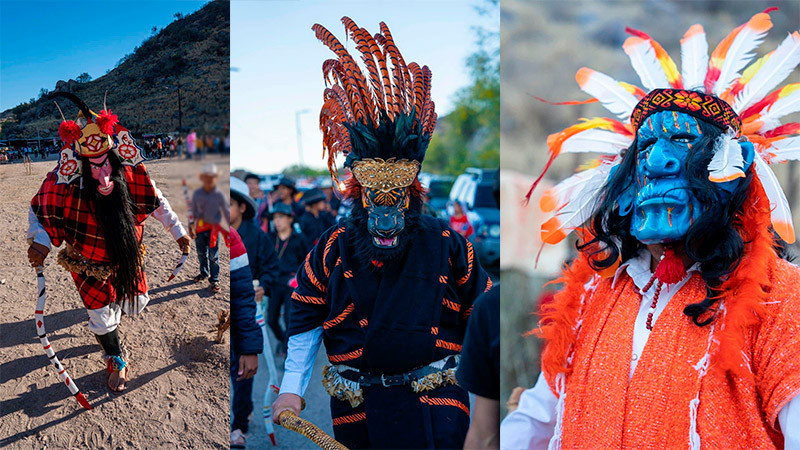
(42, 42)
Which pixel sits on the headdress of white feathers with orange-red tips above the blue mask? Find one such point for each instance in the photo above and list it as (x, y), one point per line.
(723, 90)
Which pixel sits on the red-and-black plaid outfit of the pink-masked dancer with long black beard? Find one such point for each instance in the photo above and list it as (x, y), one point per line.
(66, 217)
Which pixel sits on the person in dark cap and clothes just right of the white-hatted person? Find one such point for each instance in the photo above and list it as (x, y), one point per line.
(292, 248)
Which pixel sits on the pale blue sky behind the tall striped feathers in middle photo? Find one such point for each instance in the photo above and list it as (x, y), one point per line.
(277, 64)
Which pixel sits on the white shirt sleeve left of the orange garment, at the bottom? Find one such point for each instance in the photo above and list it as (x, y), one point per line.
(533, 423)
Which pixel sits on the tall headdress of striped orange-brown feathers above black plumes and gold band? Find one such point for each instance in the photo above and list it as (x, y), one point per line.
(381, 120)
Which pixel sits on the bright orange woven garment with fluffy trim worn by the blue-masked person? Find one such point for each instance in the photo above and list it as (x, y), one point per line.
(754, 354)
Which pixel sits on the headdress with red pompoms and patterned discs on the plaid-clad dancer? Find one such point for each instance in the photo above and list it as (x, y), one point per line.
(89, 136)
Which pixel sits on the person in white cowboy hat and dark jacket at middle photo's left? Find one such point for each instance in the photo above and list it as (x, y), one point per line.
(263, 260)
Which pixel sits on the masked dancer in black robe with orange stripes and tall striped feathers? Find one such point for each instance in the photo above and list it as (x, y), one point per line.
(388, 290)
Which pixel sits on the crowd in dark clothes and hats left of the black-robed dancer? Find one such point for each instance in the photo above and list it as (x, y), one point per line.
(278, 230)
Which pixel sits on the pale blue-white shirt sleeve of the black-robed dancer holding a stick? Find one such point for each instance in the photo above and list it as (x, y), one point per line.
(300, 358)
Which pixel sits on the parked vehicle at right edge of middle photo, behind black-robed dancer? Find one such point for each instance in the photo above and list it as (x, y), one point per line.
(475, 190)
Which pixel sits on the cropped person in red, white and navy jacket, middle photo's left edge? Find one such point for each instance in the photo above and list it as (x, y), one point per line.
(246, 340)
